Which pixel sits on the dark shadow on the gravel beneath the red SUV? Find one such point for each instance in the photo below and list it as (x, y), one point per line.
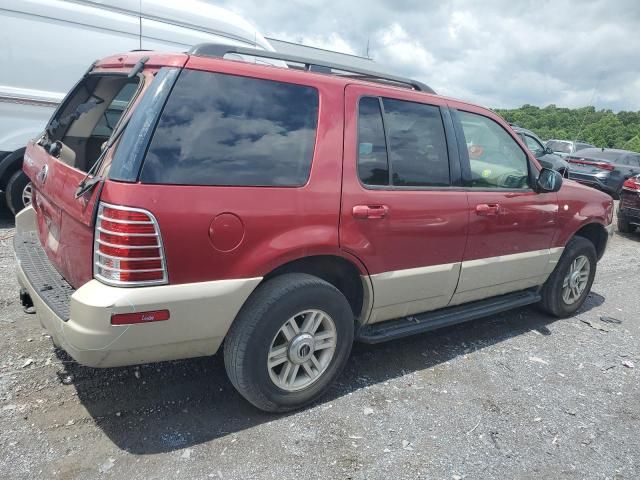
(172, 405)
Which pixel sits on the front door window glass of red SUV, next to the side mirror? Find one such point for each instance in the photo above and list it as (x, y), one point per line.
(495, 158)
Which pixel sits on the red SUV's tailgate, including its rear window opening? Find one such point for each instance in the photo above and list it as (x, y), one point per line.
(86, 119)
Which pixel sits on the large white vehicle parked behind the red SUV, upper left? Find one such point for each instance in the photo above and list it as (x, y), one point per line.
(85, 30)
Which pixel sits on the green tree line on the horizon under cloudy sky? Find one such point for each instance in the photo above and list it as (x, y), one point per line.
(602, 128)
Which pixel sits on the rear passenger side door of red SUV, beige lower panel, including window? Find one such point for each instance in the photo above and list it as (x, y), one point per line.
(403, 214)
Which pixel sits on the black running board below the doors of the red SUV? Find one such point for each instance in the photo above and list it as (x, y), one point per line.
(424, 322)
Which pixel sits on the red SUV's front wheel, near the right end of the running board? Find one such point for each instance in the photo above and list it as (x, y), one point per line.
(570, 273)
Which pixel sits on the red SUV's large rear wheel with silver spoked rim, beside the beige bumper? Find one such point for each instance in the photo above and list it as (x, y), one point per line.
(289, 342)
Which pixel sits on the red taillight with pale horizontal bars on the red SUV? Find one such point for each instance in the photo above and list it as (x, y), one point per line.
(127, 249)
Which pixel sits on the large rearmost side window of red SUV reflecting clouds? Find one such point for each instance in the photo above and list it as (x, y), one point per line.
(219, 129)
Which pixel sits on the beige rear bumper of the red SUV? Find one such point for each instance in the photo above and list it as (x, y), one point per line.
(200, 315)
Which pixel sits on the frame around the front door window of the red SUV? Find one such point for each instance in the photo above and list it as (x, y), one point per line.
(465, 161)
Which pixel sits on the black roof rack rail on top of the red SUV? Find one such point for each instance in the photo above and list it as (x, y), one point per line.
(219, 50)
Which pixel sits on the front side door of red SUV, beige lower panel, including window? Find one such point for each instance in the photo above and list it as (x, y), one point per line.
(511, 226)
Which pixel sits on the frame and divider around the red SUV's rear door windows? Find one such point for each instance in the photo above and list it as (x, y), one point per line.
(455, 177)
